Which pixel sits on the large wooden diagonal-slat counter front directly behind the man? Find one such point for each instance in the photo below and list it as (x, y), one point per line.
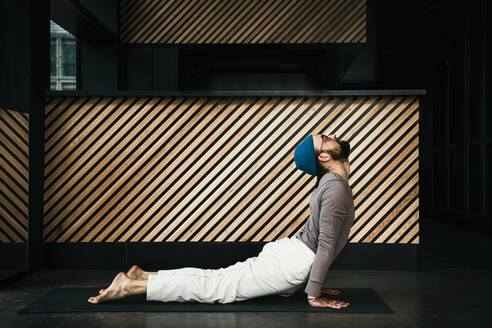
(221, 168)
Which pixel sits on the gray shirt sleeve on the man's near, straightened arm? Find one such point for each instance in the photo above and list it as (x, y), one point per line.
(331, 228)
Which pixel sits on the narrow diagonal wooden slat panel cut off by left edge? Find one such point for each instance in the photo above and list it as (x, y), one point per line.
(14, 176)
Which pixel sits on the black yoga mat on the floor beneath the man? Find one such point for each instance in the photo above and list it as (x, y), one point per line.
(362, 300)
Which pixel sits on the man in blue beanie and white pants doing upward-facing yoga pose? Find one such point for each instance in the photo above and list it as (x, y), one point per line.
(283, 265)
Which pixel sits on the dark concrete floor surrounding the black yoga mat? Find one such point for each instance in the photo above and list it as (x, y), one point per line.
(452, 289)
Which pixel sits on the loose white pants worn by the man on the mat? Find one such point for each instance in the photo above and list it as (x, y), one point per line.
(281, 268)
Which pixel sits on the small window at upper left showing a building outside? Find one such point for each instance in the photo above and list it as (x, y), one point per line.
(63, 59)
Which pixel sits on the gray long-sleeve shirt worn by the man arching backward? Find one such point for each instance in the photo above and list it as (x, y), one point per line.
(327, 229)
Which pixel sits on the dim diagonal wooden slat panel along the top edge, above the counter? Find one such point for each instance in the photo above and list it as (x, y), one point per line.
(242, 22)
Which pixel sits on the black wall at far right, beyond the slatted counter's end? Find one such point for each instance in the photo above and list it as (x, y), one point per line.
(458, 80)
